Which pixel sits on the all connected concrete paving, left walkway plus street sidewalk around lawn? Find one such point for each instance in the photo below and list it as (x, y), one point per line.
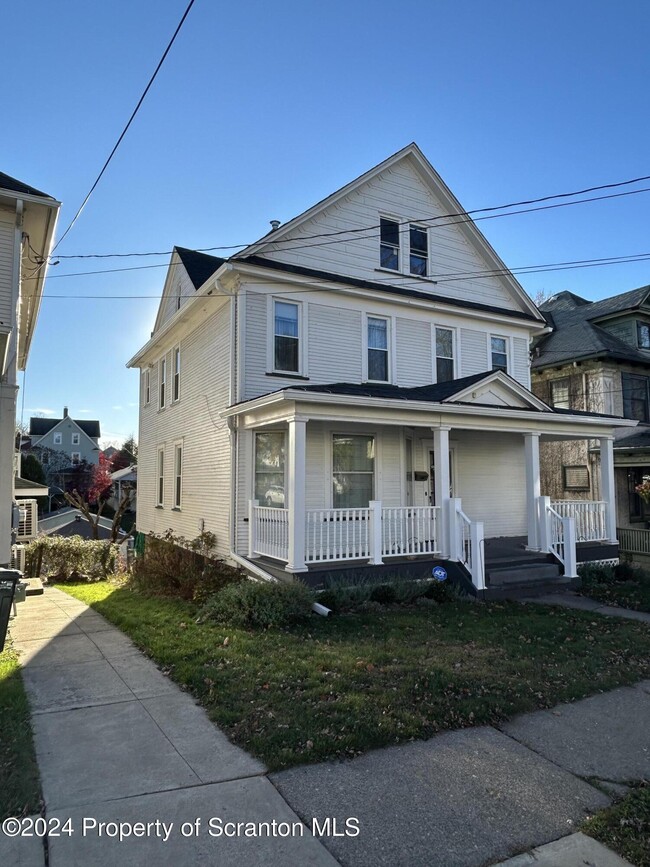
(118, 742)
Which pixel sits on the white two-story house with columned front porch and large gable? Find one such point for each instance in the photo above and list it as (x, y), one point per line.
(353, 390)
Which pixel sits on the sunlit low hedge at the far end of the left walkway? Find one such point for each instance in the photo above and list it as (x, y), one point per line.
(71, 558)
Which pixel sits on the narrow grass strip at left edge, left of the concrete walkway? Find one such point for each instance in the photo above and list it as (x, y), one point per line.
(20, 792)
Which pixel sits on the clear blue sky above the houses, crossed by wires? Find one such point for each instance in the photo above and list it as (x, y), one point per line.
(263, 108)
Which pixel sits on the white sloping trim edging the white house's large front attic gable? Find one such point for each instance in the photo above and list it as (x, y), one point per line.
(442, 192)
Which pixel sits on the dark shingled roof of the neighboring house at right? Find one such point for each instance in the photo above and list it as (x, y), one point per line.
(577, 334)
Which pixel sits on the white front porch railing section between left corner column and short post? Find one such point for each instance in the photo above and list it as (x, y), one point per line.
(337, 534)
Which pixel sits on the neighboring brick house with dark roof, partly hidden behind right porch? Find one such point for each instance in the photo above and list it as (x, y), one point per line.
(597, 359)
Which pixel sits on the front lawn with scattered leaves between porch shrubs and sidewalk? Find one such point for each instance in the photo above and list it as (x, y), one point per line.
(346, 684)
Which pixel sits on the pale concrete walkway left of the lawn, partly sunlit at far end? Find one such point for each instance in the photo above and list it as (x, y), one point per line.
(117, 741)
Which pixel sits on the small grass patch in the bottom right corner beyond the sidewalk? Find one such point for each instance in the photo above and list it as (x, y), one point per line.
(625, 826)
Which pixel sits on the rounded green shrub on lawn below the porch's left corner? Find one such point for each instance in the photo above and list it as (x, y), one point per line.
(260, 604)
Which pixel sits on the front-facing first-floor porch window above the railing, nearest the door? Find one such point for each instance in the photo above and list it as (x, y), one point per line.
(353, 471)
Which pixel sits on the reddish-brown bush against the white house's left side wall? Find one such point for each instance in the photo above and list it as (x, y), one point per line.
(174, 566)
